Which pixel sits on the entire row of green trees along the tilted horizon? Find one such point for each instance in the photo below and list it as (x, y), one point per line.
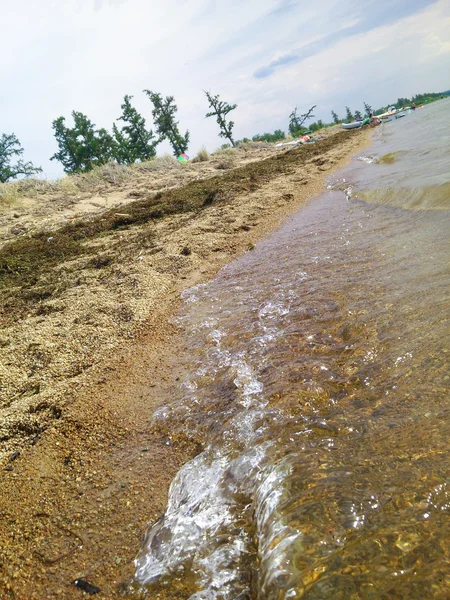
(82, 146)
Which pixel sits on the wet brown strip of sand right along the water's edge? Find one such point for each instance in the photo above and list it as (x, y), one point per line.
(76, 504)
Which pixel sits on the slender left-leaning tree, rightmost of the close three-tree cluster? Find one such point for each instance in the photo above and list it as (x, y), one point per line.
(164, 110)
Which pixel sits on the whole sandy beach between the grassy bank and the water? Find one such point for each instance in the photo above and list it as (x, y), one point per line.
(84, 366)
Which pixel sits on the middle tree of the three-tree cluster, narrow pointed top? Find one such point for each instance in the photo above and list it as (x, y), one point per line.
(133, 142)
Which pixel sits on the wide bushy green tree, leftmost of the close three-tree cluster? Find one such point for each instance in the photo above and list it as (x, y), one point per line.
(82, 147)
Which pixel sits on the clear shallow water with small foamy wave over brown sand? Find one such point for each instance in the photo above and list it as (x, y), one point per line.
(317, 378)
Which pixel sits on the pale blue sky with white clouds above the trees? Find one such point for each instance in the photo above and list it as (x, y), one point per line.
(267, 56)
